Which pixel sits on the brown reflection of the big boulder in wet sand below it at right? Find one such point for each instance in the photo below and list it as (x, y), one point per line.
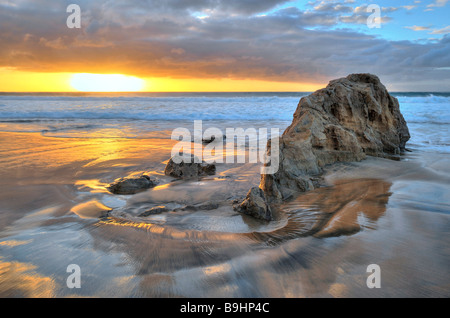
(343, 209)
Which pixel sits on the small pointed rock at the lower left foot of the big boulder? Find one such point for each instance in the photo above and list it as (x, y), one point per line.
(256, 205)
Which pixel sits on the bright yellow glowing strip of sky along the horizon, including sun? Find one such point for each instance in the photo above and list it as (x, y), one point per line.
(12, 80)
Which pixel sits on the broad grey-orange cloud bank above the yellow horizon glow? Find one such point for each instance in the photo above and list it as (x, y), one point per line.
(211, 39)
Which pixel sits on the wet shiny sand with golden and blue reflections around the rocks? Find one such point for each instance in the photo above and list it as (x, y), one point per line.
(55, 211)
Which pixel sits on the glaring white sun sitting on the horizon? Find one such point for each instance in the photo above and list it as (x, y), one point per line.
(85, 82)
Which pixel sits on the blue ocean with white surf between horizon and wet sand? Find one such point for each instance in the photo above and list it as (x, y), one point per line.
(138, 115)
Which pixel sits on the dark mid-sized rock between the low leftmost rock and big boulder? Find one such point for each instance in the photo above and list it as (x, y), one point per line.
(188, 168)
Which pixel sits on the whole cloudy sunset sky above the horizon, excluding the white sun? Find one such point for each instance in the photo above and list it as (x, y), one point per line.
(225, 45)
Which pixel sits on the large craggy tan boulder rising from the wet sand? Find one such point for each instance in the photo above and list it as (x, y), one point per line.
(350, 119)
